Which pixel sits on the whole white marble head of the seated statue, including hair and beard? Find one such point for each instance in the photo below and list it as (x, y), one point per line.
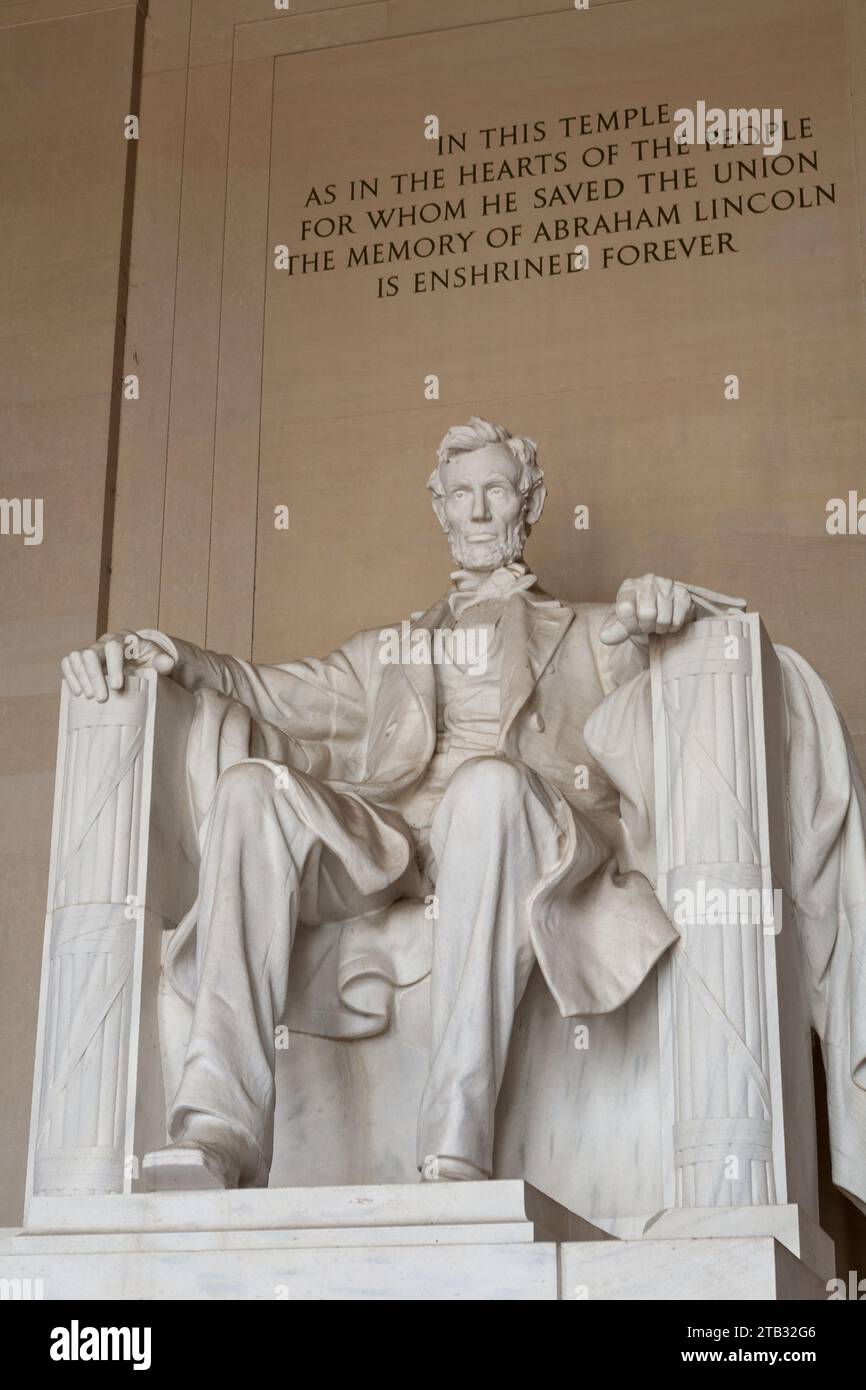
(489, 493)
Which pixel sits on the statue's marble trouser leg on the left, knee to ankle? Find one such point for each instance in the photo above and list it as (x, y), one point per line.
(265, 868)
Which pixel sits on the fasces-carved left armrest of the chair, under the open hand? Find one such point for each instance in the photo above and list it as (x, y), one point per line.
(119, 872)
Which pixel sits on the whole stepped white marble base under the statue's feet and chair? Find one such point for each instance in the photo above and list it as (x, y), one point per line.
(500, 1241)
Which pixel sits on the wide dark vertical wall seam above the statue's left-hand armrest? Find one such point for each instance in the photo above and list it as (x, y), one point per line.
(120, 332)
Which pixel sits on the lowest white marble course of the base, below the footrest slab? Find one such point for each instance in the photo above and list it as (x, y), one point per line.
(404, 1264)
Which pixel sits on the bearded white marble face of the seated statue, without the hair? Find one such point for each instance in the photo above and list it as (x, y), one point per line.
(483, 511)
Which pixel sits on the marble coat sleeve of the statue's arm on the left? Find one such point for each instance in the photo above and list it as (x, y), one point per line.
(311, 700)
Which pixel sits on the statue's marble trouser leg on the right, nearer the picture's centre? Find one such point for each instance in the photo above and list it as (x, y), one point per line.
(497, 835)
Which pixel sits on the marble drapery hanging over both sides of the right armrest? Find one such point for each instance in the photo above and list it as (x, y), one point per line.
(828, 854)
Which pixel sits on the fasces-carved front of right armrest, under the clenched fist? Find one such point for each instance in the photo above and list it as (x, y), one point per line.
(718, 1031)
